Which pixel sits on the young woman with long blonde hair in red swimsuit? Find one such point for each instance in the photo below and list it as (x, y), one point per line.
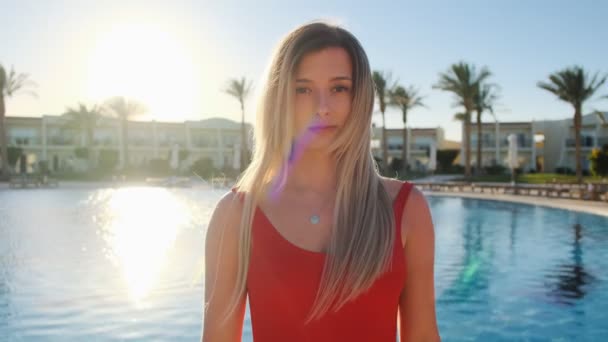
(323, 246)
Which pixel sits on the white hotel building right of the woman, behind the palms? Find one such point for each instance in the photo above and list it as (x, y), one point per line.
(543, 146)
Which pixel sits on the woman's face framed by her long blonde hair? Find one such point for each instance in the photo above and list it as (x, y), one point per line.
(323, 96)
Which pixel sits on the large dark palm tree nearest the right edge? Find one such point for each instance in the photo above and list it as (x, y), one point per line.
(574, 86)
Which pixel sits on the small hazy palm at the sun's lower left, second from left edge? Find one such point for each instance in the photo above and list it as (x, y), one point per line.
(83, 120)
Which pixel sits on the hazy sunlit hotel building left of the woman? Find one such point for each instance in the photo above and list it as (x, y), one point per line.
(47, 138)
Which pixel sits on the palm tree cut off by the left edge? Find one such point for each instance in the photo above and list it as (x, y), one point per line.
(10, 84)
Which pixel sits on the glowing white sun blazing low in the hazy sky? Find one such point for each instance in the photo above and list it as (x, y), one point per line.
(148, 64)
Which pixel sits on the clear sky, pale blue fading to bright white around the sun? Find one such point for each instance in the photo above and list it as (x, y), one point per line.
(177, 56)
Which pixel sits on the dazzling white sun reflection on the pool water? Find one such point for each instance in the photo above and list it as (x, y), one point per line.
(140, 232)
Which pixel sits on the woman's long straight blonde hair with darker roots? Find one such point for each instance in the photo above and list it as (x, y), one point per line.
(361, 242)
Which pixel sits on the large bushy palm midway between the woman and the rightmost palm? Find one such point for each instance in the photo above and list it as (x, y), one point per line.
(462, 79)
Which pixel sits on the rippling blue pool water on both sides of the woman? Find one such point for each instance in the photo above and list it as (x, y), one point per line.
(79, 263)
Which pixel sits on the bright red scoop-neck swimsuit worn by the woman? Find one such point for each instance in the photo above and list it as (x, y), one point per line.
(283, 279)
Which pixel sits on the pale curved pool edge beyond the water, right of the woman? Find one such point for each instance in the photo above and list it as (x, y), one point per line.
(589, 207)
